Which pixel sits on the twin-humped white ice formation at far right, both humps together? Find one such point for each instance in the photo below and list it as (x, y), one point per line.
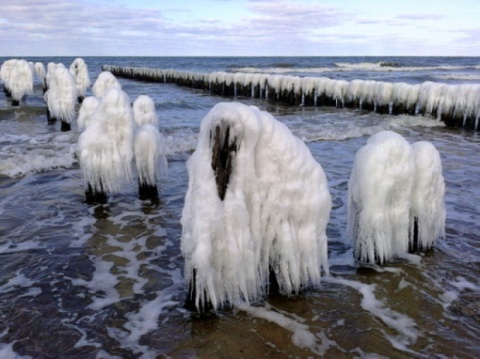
(395, 198)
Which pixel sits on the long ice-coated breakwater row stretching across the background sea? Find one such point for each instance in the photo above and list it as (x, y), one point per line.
(456, 105)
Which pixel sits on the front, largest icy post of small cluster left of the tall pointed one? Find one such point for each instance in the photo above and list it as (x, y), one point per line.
(61, 96)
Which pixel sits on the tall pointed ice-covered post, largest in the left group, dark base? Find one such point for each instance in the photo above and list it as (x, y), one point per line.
(105, 148)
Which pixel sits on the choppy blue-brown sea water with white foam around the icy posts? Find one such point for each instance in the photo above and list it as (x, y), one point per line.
(83, 281)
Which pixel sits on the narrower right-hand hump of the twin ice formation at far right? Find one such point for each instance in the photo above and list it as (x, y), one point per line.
(427, 215)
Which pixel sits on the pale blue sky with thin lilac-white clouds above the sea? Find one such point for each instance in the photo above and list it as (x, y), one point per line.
(239, 28)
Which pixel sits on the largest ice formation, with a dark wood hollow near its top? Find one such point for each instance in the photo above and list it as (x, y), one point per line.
(257, 201)
